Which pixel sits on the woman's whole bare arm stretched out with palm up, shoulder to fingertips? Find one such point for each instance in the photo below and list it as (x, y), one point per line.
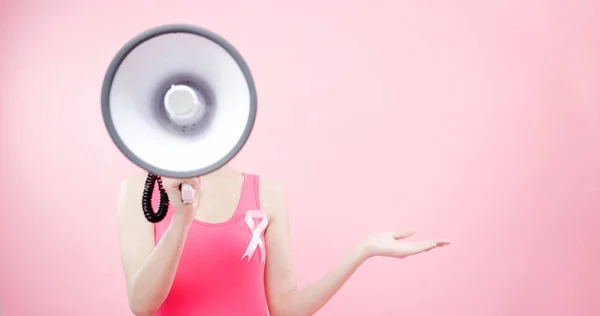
(283, 295)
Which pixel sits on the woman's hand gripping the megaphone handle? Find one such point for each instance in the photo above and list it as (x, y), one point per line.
(173, 187)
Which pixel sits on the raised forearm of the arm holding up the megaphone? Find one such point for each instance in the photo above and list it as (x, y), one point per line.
(151, 284)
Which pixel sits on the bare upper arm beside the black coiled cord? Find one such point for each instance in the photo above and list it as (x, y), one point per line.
(136, 234)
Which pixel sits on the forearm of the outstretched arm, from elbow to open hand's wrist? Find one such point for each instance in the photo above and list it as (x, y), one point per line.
(309, 300)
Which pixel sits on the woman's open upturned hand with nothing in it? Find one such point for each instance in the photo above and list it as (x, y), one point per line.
(392, 244)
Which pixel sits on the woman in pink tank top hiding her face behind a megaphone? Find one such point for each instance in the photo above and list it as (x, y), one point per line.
(228, 253)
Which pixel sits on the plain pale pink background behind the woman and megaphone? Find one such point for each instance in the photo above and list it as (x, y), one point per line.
(478, 121)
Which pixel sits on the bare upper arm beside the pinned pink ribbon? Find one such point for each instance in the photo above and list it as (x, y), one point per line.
(280, 278)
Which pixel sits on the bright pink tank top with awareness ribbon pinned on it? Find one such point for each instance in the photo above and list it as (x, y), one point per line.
(221, 271)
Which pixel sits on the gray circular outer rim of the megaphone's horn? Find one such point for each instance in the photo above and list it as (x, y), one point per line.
(132, 44)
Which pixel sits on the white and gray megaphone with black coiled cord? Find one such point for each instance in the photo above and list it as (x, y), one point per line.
(178, 101)
